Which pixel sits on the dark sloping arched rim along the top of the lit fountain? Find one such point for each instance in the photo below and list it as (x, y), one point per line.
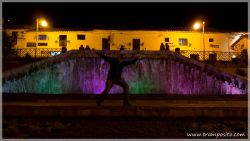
(233, 79)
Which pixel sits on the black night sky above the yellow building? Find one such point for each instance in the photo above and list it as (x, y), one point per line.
(221, 16)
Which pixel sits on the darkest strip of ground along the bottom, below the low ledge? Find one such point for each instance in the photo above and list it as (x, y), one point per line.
(124, 128)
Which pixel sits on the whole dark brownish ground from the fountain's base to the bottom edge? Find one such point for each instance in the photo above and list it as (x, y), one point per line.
(148, 125)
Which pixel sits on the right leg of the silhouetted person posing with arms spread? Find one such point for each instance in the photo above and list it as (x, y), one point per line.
(125, 87)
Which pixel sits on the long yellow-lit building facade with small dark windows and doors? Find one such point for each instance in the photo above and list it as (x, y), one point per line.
(131, 39)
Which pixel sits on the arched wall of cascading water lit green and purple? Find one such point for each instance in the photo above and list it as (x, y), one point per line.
(146, 76)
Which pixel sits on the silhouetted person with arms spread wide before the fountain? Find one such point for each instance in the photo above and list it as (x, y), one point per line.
(114, 76)
